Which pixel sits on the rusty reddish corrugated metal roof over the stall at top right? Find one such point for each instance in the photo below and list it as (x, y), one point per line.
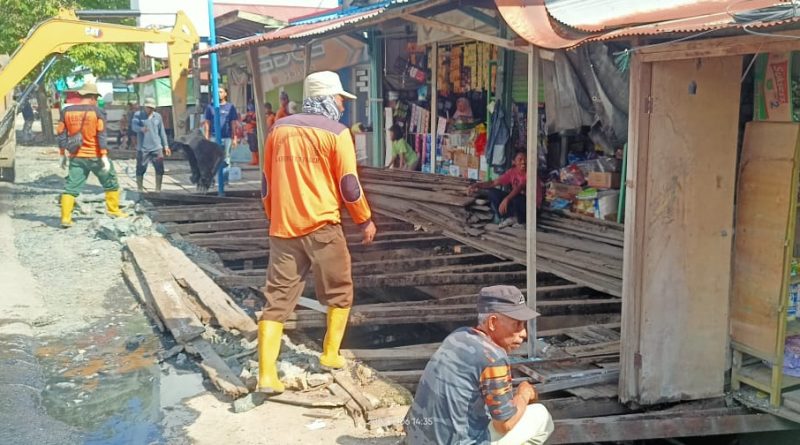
(581, 21)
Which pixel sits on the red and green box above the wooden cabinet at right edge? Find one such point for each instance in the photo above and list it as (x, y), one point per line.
(775, 74)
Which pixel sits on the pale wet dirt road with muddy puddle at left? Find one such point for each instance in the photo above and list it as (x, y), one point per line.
(77, 354)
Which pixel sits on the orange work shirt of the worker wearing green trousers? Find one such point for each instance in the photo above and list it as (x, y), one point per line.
(92, 126)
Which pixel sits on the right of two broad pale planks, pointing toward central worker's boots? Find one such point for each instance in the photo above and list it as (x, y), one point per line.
(226, 312)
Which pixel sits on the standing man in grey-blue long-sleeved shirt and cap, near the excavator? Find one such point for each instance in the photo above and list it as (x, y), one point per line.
(153, 145)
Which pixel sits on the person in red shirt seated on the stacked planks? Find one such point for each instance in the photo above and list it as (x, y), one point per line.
(510, 205)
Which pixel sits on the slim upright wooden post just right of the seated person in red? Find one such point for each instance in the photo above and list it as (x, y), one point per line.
(530, 188)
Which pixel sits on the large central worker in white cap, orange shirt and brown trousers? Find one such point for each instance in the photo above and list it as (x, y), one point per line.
(309, 170)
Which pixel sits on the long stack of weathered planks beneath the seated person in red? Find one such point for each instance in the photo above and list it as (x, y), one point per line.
(583, 250)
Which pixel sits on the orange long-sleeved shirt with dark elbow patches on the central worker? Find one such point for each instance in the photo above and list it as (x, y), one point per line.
(310, 169)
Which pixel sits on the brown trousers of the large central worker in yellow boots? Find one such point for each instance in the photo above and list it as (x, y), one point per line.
(325, 252)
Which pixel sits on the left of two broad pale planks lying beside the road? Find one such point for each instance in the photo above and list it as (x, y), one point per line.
(161, 288)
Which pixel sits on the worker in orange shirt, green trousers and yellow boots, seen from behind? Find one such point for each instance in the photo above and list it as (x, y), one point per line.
(85, 153)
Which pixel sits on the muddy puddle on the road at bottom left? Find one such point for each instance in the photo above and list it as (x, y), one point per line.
(106, 383)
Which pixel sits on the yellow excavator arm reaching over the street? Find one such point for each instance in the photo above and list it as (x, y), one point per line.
(58, 34)
